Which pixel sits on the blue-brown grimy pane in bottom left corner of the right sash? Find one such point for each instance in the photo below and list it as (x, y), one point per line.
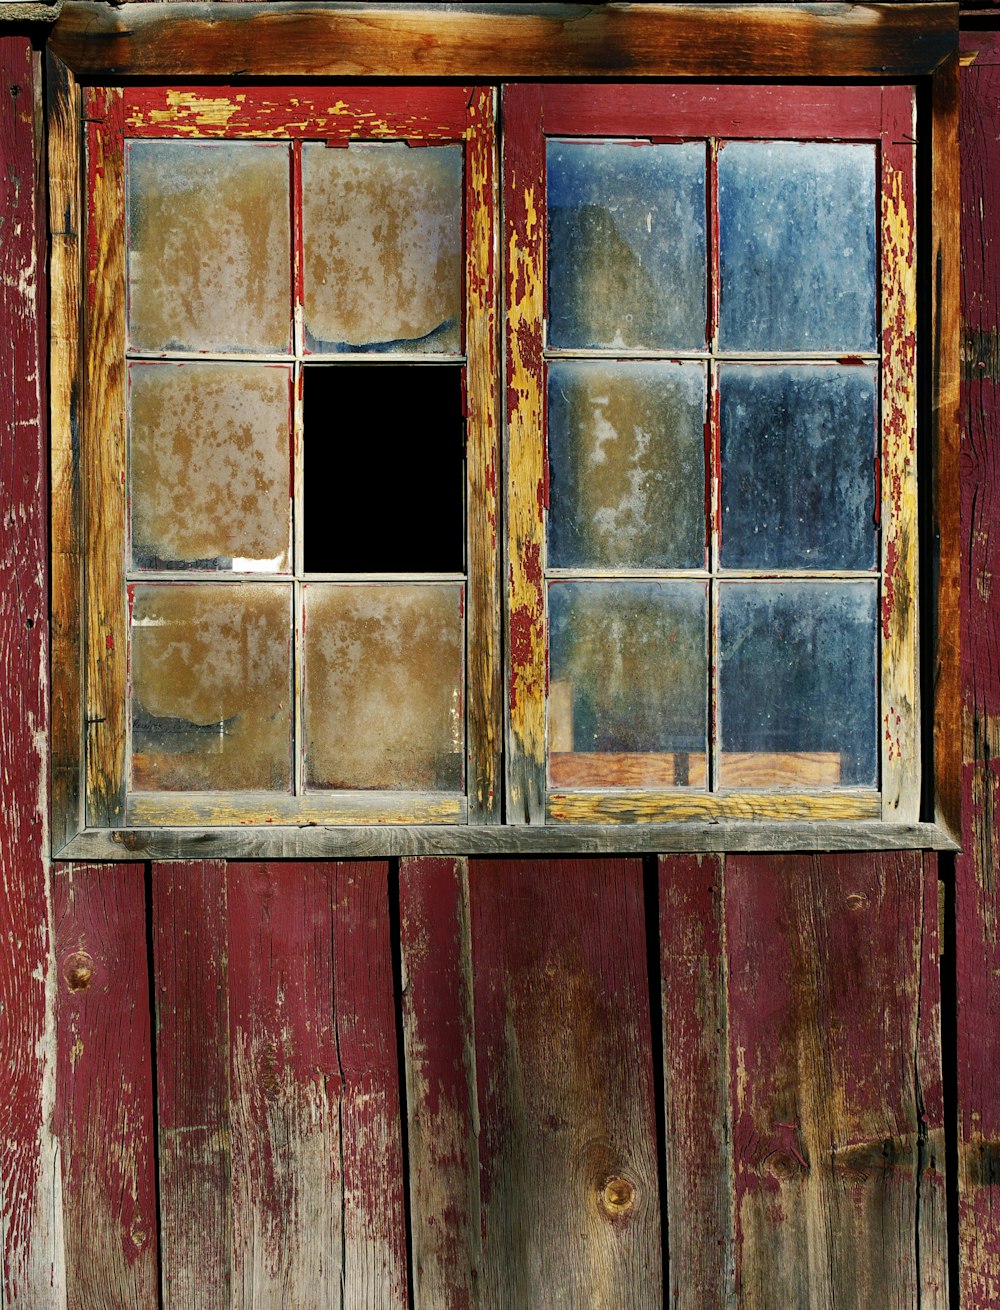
(628, 684)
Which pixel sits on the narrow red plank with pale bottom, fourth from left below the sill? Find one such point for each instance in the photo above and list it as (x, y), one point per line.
(372, 1142)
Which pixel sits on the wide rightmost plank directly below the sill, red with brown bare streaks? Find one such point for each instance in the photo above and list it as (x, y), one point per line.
(836, 1081)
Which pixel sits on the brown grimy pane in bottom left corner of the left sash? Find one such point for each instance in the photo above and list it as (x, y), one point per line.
(212, 687)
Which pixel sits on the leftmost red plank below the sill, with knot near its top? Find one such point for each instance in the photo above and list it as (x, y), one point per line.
(106, 1097)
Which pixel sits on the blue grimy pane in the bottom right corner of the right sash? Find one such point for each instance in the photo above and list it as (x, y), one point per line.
(799, 684)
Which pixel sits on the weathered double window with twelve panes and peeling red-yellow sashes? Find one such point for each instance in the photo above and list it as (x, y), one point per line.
(330, 383)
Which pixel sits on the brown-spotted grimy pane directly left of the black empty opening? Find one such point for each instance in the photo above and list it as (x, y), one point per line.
(209, 467)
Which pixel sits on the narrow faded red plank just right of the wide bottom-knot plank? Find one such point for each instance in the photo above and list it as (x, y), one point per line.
(697, 1083)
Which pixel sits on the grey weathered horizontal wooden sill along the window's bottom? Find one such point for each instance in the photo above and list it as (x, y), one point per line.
(387, 842)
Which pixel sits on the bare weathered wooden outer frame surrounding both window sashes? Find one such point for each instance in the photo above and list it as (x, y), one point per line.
(95, 49)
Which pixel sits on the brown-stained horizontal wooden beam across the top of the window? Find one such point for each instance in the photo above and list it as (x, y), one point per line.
(512, 41)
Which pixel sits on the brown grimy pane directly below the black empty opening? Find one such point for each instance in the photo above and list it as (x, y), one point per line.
(385, 678)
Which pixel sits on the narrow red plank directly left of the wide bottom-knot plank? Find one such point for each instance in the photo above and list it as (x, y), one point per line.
(441, 1084)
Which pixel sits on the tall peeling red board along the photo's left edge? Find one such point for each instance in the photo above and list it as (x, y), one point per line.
(31, 1237)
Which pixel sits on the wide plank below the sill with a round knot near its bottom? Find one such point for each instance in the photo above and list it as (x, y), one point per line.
(571, 1205)
